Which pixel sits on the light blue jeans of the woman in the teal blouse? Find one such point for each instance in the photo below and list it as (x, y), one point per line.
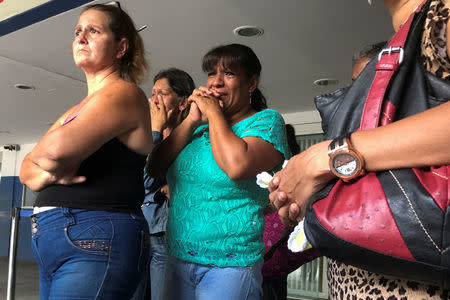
(189, 281)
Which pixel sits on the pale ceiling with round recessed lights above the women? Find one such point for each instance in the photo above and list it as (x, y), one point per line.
(303, 41)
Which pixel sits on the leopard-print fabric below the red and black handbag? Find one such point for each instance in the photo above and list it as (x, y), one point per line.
(346, 282)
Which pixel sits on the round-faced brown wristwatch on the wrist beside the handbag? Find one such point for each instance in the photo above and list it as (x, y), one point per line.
(345, 162)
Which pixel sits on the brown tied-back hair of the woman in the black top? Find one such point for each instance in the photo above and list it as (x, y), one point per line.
(133, 65)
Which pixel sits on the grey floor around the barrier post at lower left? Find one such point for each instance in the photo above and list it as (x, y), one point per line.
(27, 285)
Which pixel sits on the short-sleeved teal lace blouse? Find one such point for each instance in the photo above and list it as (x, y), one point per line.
(214, 220)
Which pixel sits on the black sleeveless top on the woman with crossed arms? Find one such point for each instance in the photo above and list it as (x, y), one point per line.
(114, 182)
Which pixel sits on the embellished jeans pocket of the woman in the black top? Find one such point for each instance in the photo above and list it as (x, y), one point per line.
(91, 236)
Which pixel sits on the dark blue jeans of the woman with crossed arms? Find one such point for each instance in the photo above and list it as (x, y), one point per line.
(85, 254)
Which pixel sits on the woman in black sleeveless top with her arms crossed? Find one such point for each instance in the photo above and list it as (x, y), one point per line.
(88, 233)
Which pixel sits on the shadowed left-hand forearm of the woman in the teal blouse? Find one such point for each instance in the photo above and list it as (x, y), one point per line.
(167, 151)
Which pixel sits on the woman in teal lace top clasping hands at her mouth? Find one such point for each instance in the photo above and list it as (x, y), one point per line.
(216, 223)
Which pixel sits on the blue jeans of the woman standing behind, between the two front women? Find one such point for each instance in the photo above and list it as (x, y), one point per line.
(153, 283)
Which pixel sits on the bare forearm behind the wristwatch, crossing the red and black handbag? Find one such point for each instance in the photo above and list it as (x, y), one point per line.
(416, 141)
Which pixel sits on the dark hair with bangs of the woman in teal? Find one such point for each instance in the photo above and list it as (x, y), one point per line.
(235, 56)
